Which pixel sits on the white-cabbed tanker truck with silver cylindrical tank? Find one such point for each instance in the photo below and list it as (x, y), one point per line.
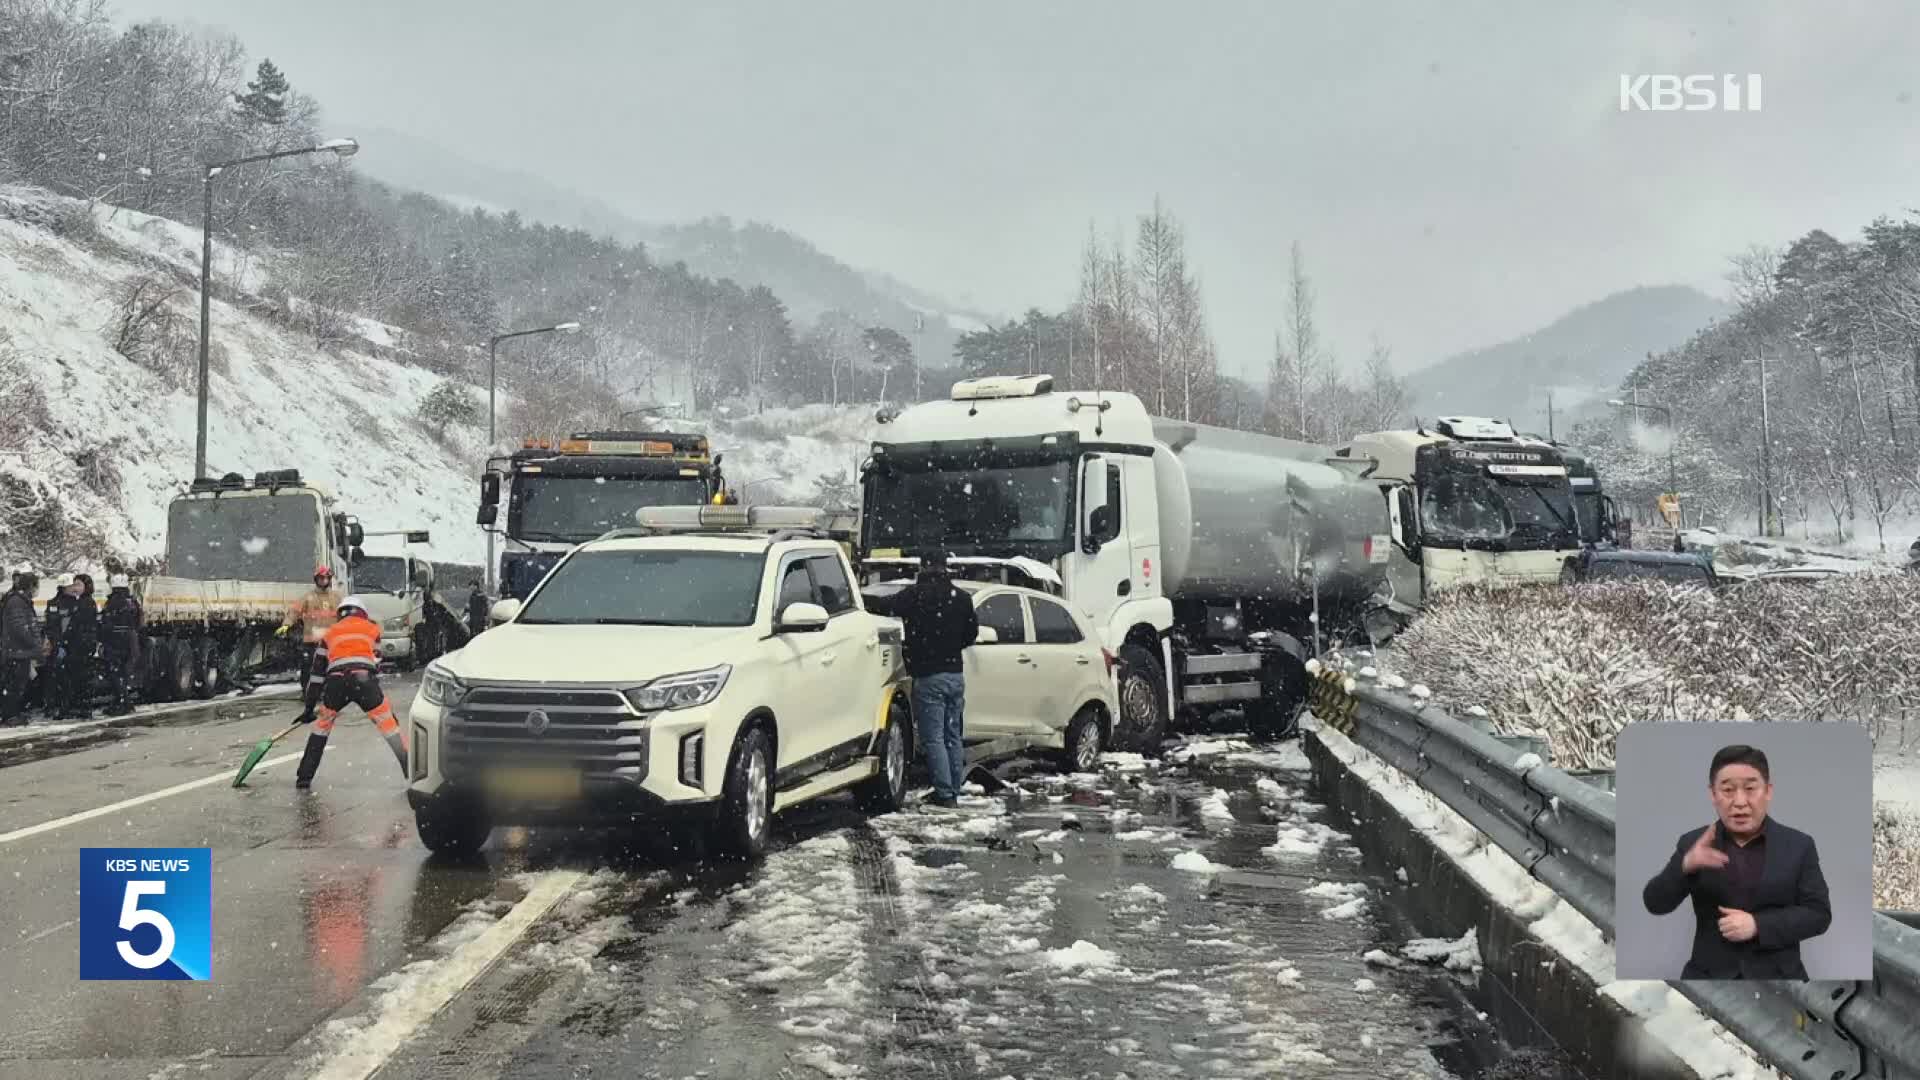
(1212, 562)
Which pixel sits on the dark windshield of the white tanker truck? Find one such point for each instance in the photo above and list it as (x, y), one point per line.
(971, 508)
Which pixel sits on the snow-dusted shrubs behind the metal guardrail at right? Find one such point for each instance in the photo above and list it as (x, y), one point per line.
(1579, 664)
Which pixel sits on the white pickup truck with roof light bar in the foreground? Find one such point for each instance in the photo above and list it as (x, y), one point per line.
(713, 668)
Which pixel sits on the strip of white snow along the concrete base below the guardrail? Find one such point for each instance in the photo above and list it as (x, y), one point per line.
(1689, 1033)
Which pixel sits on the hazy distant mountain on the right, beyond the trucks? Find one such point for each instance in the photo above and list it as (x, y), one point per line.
(1581, 358)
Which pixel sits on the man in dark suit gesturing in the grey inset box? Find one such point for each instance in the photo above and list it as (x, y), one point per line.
(1756, 885)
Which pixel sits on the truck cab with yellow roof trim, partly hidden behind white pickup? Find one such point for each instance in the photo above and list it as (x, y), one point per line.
(550, 497)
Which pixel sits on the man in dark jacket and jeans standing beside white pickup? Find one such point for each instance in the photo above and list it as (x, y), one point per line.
(940, 626)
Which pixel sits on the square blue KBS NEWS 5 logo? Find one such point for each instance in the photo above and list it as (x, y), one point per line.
(147, 914)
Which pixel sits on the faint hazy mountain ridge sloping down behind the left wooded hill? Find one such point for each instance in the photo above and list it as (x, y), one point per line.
(807, 280)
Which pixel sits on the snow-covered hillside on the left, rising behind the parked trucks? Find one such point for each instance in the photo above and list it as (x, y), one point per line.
(99, 312)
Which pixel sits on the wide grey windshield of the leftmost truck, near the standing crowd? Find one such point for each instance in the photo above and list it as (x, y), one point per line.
(245, 537)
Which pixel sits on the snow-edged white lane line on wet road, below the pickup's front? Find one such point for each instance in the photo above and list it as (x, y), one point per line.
(412, 1006)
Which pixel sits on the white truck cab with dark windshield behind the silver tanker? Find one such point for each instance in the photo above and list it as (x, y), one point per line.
(1472, 503)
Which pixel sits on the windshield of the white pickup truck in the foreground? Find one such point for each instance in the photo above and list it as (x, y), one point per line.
(650, 589)
